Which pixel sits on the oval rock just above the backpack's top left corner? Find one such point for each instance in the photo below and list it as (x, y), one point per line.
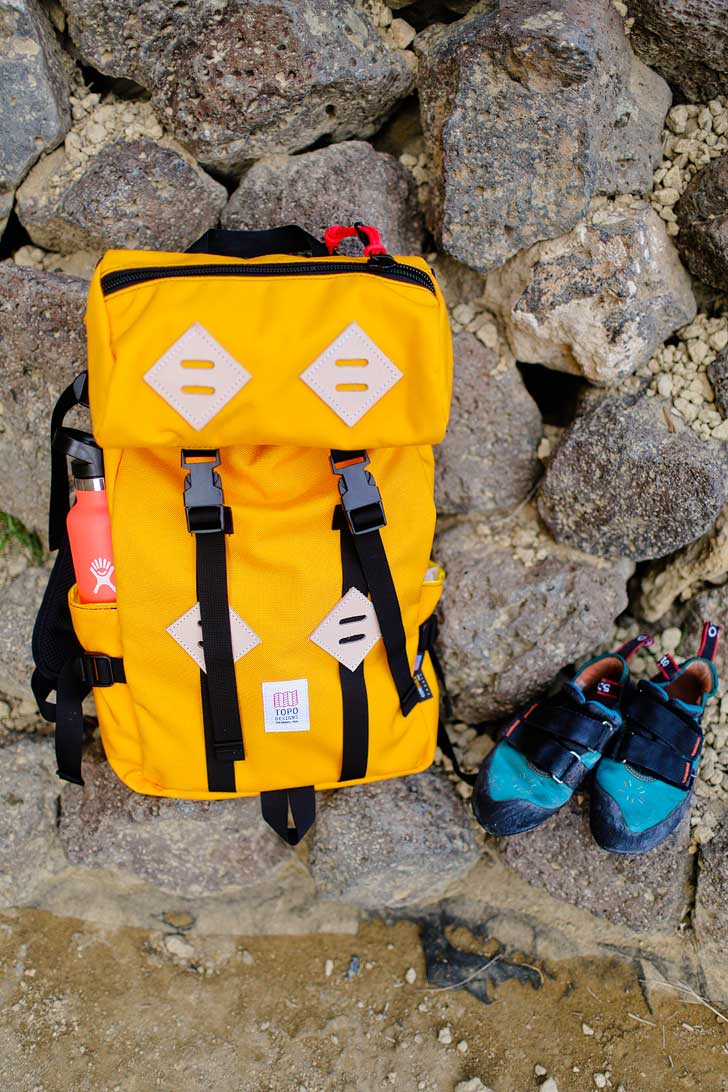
(135, 195)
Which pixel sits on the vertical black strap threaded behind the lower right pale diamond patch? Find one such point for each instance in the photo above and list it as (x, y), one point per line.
(355, 741)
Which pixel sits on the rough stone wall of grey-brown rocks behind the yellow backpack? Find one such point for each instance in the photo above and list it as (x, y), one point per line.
(579, 229)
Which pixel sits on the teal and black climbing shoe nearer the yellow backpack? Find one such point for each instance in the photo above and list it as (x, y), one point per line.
(548, 751)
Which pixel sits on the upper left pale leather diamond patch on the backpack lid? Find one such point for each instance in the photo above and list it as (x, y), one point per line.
(197, 377)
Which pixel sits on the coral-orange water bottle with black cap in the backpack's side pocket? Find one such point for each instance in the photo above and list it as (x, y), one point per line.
(89, 524)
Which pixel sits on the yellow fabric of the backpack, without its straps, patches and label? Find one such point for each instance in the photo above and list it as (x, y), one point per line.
(284, 559)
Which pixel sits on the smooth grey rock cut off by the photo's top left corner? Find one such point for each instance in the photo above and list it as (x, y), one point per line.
(34, 94)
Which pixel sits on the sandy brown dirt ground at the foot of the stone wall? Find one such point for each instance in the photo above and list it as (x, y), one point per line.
(87, 1010)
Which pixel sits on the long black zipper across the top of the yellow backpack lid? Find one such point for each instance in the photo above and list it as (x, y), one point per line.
(379, 266)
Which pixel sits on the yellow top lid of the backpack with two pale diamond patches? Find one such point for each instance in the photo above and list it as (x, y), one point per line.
(197, 351)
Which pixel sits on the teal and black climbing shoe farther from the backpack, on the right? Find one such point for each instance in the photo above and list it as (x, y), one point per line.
(643, 787)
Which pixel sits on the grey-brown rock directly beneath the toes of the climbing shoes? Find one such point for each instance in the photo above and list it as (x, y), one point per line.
(648, 894)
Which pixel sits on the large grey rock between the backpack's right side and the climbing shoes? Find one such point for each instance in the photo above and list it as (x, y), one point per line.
(519, 609)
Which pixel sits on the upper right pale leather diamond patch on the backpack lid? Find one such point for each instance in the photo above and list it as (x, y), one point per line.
(352, 375)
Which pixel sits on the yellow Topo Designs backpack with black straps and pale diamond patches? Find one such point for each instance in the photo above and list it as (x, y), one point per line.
(267, 423)
